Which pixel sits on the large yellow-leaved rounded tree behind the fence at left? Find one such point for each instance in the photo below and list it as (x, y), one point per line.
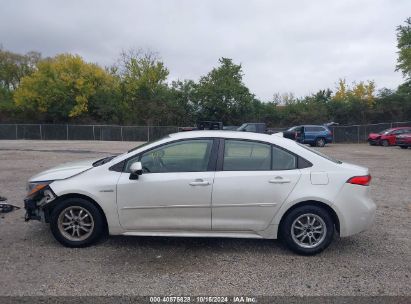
(63, 88)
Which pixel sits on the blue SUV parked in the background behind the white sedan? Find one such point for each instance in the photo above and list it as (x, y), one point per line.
(313, 135)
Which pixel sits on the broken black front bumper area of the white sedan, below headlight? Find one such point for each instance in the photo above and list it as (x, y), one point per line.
(36, 206)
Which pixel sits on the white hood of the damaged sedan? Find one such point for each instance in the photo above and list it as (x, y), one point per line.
(64, 170)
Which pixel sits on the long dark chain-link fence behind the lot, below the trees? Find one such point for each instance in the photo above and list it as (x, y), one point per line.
(342, 134)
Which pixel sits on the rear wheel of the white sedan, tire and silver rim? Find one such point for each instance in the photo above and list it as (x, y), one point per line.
(290, 227)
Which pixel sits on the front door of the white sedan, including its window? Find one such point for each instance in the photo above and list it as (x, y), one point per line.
(174, 191)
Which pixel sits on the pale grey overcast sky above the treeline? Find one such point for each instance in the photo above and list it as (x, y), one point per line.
(283, 46)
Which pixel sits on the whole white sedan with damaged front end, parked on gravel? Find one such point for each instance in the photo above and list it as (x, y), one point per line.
(206, 183)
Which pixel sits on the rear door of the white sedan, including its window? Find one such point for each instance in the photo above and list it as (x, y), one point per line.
(254, 180)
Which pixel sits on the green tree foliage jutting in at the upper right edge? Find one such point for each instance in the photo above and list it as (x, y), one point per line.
(404, 48)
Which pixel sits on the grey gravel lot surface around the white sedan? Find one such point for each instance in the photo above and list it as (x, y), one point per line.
(376, 262)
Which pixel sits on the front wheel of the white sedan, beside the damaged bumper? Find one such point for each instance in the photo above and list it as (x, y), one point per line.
(84, 228)
